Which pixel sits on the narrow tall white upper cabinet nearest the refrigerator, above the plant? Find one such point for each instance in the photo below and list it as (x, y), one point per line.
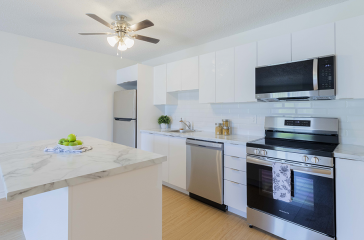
(160, 95)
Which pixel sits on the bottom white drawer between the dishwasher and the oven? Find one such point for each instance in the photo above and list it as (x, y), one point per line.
(235, 195)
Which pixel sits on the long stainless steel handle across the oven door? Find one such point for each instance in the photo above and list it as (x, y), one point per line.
(321, 172)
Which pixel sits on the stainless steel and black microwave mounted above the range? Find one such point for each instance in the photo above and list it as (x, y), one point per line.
(312, 79)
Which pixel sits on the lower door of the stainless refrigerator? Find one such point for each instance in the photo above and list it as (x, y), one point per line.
(125, 132)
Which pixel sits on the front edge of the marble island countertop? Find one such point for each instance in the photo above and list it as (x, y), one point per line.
(10, 196)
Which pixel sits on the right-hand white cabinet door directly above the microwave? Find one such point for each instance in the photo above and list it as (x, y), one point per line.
(313, 42)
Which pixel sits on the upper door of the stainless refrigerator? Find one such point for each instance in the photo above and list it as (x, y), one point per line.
(125, 104)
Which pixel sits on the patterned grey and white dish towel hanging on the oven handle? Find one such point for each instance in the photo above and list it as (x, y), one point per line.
(281, 182)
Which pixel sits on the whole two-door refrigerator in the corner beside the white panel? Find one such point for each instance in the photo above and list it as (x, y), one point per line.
(125, 118)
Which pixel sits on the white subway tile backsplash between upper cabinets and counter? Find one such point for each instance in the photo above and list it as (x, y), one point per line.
(248, 118)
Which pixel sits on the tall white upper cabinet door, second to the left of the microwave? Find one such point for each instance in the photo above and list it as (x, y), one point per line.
(225, 75)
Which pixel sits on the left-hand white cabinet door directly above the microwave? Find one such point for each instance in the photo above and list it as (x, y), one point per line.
(274, 50)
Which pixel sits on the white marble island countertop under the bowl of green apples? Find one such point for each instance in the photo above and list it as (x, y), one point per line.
(27, 170)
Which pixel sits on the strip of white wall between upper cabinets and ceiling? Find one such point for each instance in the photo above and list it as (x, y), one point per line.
(319, 17)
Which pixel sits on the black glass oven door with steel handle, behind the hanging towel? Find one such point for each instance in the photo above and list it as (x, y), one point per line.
(313, 204)
